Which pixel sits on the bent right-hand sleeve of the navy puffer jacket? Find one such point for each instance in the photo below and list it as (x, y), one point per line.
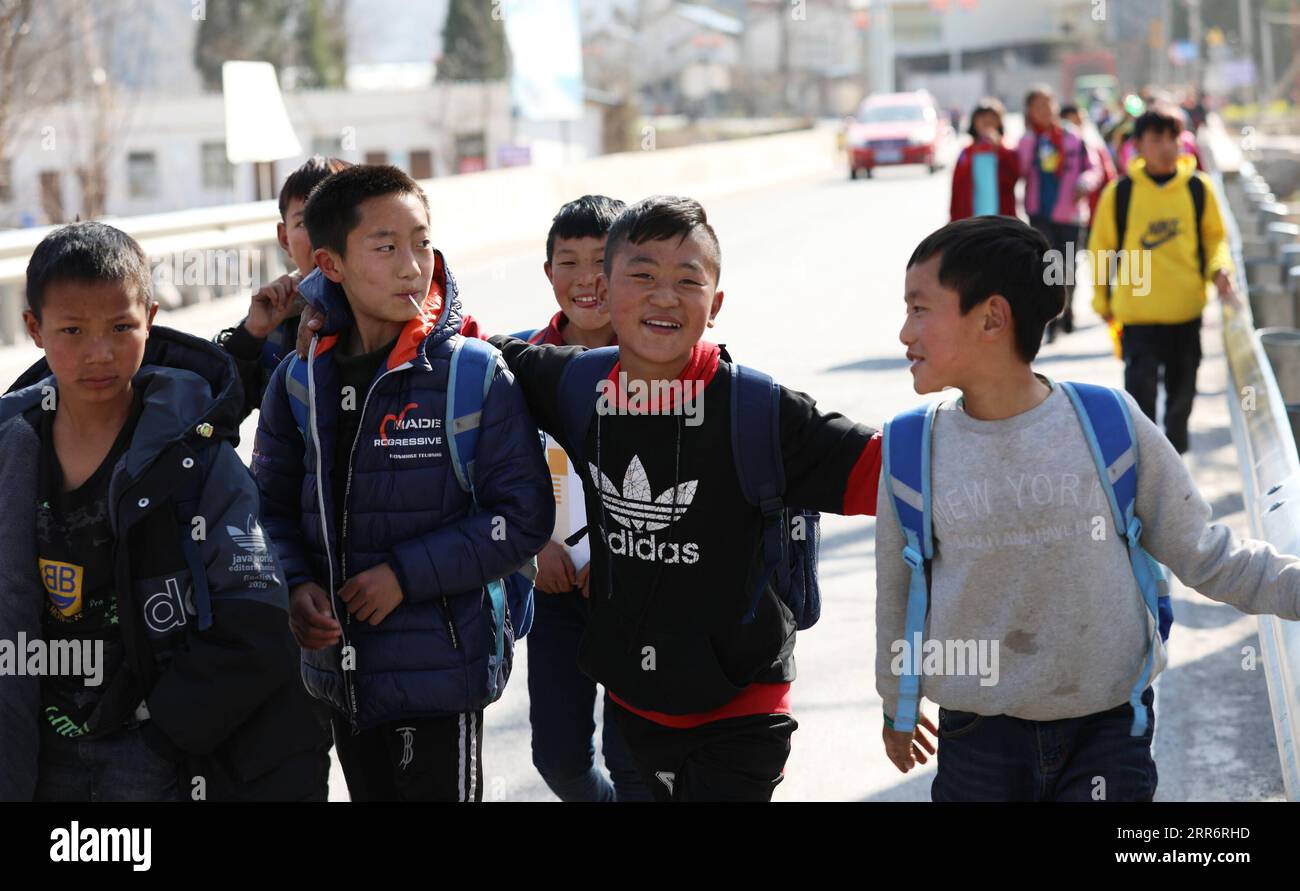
(517, 508)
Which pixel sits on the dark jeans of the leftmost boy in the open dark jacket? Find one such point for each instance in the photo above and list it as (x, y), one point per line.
(116, 768)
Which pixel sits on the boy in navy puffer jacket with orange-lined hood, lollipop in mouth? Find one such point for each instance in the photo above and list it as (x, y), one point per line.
(385, 553)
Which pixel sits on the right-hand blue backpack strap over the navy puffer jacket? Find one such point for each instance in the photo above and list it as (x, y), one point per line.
(474, 364)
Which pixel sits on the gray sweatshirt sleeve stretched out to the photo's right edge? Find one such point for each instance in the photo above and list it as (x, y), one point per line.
(1245, 573)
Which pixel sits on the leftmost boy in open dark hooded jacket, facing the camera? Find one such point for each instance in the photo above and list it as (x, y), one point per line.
(132, 537)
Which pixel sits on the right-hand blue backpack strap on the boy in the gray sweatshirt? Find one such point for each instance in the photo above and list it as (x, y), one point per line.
(1108, 429)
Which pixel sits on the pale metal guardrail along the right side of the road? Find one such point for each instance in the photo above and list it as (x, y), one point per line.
(1271, 479)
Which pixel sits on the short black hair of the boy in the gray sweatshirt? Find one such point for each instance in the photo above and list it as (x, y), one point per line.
(986, 256)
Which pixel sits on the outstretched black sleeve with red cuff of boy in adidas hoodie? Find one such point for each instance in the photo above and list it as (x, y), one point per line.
(833, 464)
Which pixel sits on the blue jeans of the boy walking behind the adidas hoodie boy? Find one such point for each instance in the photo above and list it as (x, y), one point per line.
(561, 710)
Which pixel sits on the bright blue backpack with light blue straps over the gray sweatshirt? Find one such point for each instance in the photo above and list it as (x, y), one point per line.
(1110, 432)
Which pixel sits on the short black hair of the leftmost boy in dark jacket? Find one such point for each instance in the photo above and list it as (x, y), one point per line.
(88, 253)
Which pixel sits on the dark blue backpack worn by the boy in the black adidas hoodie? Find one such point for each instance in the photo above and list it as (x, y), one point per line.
(790, 537)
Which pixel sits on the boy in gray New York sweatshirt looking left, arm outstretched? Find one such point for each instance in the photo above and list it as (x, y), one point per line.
(1046, 612)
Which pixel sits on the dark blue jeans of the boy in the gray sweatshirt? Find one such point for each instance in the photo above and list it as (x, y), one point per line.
(1004, 759)
